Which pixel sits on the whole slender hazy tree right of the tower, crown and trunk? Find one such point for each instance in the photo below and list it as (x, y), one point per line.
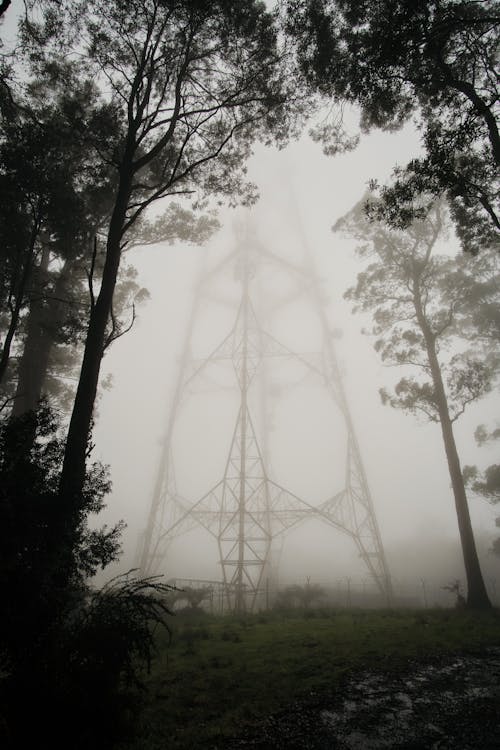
(418, 310)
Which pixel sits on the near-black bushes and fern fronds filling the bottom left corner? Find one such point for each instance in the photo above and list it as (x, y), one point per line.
(67, 650)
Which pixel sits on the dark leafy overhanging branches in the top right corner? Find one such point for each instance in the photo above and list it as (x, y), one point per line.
(431, 60)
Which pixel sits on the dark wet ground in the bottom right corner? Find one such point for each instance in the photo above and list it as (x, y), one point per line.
(451, 703)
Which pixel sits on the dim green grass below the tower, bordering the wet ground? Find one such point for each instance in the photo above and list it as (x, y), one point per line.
(221, 674)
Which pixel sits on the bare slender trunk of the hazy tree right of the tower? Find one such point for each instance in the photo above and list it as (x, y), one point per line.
(477, 596)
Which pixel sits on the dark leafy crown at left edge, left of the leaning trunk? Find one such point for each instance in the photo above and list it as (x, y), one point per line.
(53, 204)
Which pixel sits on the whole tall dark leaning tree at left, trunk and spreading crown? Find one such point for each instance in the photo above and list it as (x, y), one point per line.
(194, 84)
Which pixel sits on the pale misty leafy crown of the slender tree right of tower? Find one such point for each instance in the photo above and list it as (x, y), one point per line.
(422, 302)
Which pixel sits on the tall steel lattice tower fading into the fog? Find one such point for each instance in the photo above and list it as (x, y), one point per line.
(246, 509)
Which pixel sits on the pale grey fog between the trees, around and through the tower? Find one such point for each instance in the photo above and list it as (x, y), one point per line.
(302, 194)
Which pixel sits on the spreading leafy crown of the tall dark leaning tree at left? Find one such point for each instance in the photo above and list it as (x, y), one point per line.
(192, 83)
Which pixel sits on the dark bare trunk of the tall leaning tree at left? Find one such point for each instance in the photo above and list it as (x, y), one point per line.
(73, 470)
